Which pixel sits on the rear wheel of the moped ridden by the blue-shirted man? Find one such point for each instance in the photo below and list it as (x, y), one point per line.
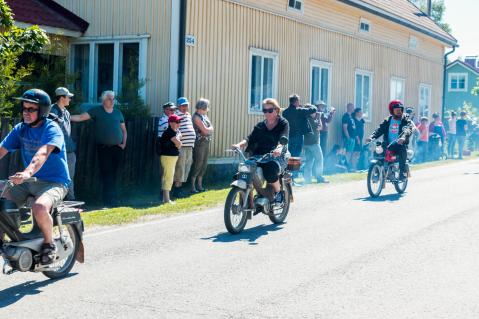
(63, 267)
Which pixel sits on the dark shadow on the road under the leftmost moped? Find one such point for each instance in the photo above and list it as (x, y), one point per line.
(13, 294)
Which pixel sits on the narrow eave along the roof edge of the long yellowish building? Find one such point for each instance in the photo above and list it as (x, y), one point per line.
(384, 14)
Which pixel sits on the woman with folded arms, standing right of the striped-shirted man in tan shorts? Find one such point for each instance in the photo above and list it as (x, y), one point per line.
(204, 130)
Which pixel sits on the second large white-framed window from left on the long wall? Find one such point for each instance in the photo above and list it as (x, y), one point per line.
(320, 82)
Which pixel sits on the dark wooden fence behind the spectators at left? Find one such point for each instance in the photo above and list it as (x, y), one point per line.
(139, 163)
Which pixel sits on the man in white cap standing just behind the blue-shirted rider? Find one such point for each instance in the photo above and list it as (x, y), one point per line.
(63, 118)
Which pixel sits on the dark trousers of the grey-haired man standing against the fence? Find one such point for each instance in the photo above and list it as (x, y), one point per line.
(109, 159)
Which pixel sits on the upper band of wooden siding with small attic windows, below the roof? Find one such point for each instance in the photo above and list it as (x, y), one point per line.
(340, 17)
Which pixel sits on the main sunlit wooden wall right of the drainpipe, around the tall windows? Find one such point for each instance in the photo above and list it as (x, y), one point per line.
(218, 67)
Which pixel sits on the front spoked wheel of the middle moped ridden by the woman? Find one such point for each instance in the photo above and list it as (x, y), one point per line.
(234, 215)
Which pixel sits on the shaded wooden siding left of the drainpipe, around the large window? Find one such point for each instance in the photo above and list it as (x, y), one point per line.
(125, 17)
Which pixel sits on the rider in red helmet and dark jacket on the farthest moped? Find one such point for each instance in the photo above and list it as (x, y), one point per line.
(396, 130)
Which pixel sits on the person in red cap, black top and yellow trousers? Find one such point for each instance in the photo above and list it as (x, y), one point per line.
(170, 142)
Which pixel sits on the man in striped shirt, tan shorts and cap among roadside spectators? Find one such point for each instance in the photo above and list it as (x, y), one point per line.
(188, 138)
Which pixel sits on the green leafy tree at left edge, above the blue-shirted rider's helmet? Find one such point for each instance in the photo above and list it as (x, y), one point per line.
(14, 41)
